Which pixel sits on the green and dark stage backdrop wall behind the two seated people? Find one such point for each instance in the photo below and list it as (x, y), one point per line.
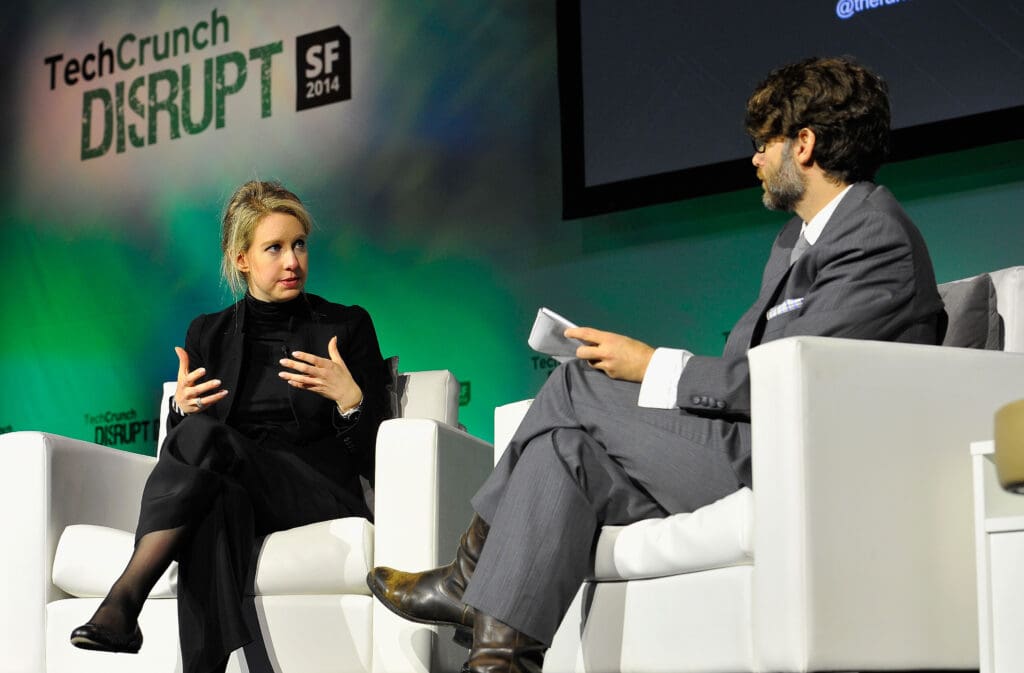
(423, 137)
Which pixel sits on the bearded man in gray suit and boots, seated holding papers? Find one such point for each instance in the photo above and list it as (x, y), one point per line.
(629, 432)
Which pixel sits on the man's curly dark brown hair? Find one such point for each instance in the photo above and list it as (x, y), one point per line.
(845, 104)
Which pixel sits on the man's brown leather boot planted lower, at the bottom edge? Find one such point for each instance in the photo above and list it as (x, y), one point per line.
(500, 649)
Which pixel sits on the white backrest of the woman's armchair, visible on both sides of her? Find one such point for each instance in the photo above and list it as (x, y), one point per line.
(433, 395)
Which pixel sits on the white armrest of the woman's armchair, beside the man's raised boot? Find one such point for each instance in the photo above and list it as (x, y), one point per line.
(426, 474)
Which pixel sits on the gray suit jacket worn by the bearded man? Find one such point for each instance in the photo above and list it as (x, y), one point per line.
(868, 277)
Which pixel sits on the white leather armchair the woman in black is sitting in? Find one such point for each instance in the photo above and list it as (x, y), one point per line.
(314, 610)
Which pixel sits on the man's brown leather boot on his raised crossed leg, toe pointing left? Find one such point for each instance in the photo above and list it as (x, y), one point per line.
(436, 597)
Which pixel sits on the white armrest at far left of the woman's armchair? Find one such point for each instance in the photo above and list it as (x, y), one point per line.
(48, 483)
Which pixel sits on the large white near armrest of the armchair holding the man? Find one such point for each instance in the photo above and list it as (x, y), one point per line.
(864, 527)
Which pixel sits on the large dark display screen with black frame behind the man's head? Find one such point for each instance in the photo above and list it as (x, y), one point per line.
(654, 94)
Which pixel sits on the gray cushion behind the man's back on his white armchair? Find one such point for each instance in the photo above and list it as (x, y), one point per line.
(973, 319)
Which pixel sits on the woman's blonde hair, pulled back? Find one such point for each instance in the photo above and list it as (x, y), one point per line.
(247, 208)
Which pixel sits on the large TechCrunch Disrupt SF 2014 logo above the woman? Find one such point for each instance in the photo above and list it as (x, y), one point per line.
(191, 99)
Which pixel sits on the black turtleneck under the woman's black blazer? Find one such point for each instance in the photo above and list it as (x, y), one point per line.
(263, 400)
